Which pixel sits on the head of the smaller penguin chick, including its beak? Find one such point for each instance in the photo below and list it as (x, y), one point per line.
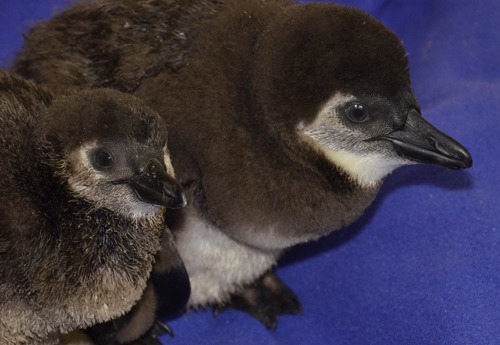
(110, 150)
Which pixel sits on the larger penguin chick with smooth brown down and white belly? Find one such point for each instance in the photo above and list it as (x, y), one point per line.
(285, 118)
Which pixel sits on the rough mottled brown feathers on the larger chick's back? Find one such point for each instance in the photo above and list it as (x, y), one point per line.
(120, 43)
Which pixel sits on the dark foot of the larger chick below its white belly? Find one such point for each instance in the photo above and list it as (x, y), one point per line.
(265, 299)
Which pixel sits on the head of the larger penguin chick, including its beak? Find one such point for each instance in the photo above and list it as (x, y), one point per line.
(340, 78)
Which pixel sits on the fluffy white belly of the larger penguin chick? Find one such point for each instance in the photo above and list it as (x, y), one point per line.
(217, 265)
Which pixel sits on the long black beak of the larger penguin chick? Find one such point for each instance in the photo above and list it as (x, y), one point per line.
(420, 141)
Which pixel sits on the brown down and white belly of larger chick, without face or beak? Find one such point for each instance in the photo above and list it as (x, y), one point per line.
(234, 80)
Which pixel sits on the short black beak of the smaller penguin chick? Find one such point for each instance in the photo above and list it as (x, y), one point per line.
(155, 186)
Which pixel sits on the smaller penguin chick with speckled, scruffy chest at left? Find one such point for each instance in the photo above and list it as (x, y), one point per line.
(85, 182)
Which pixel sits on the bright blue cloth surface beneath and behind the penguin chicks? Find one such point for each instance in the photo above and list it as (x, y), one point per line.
(422, 266)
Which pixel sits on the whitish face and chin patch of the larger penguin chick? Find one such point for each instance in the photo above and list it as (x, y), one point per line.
(346, 148)
